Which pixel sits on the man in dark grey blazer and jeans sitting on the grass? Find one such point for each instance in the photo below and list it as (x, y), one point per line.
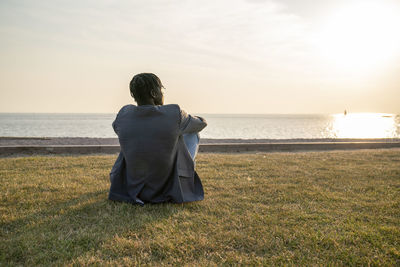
(155, 163)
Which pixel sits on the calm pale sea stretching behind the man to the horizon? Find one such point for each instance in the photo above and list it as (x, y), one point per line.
(357, 125)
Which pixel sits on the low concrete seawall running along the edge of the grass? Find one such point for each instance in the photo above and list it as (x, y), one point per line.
(213, 148)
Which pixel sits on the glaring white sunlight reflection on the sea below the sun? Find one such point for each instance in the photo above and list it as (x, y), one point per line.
(364, 125)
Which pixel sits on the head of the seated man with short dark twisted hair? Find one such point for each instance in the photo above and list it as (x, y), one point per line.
(146, 89)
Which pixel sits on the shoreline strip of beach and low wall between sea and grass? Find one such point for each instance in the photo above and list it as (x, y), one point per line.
(79, 146)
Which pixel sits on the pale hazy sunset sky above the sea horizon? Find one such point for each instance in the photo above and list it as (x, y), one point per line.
(225, 56)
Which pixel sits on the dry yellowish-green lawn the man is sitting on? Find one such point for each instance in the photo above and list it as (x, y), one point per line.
(316, 208)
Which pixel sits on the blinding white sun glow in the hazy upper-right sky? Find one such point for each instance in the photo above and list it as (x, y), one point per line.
(361, 37)
